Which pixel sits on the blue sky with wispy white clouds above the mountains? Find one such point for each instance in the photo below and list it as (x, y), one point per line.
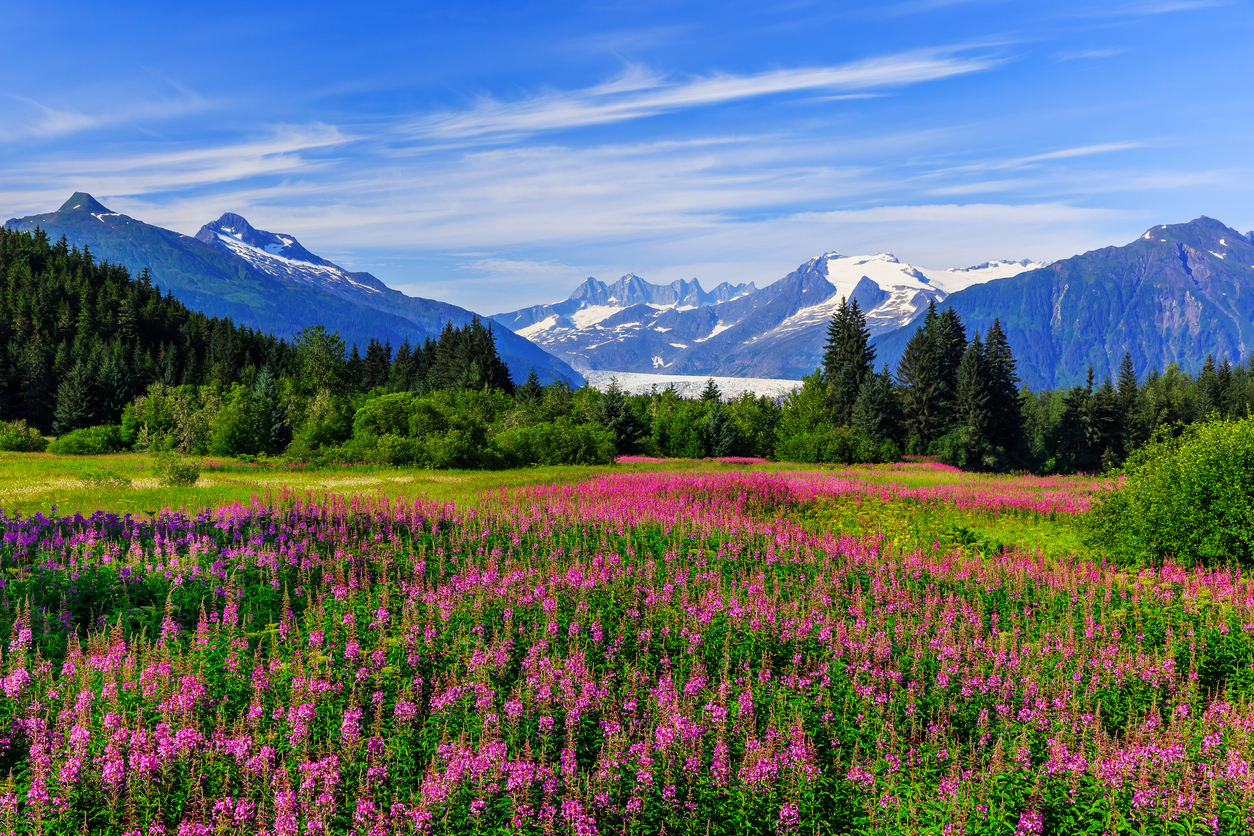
(495, 155)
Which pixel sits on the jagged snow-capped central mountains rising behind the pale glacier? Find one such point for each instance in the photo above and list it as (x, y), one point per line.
(777, 332)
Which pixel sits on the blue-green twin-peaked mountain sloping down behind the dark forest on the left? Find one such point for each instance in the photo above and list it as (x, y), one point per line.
(270, 283)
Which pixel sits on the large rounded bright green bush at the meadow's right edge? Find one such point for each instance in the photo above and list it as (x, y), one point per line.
(1191, 498)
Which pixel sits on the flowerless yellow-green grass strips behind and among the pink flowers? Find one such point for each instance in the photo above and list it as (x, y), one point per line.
(33, 483)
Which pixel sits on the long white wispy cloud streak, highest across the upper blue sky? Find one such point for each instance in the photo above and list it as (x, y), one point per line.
(640, 93)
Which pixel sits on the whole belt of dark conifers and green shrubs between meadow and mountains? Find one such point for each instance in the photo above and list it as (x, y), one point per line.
(105, 362)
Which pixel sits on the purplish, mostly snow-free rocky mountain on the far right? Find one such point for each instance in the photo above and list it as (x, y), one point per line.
(1178, 294)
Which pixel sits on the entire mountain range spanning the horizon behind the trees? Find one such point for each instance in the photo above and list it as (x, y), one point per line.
(1177, 295)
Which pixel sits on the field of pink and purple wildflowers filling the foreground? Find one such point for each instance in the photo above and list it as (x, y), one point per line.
(636, 654)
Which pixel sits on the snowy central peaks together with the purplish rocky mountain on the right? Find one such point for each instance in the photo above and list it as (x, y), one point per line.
(1177, 295)
